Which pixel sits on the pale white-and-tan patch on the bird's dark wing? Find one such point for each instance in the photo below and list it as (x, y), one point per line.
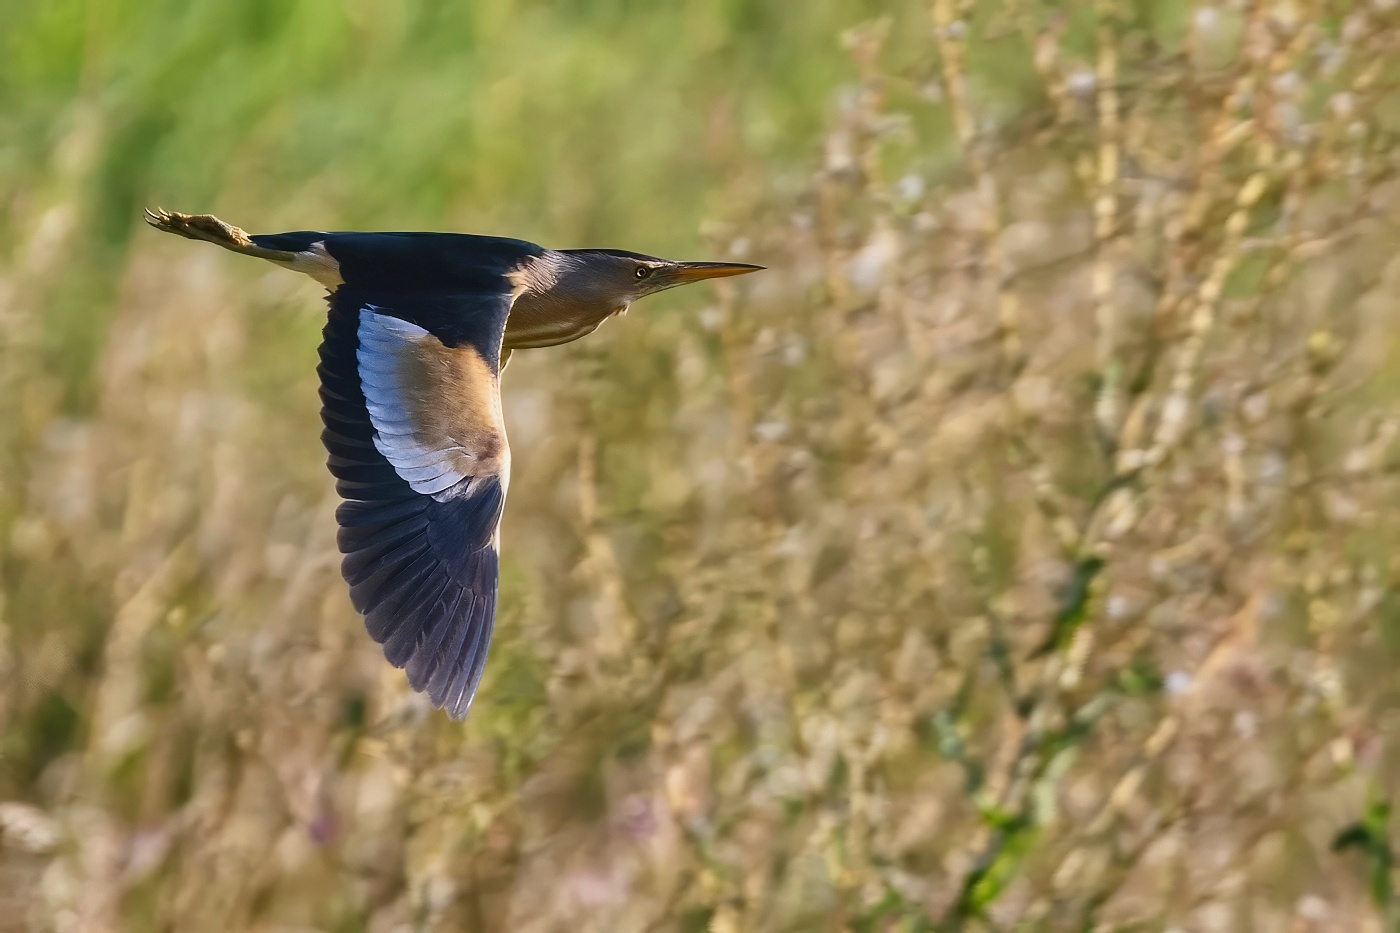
(436, 410)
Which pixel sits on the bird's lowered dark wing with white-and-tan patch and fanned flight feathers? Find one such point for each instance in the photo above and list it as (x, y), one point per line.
(412, 411)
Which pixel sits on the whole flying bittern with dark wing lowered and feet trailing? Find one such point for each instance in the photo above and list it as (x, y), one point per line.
(421, 327)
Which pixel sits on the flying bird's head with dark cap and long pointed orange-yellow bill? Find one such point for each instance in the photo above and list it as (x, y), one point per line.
(617, 278)
